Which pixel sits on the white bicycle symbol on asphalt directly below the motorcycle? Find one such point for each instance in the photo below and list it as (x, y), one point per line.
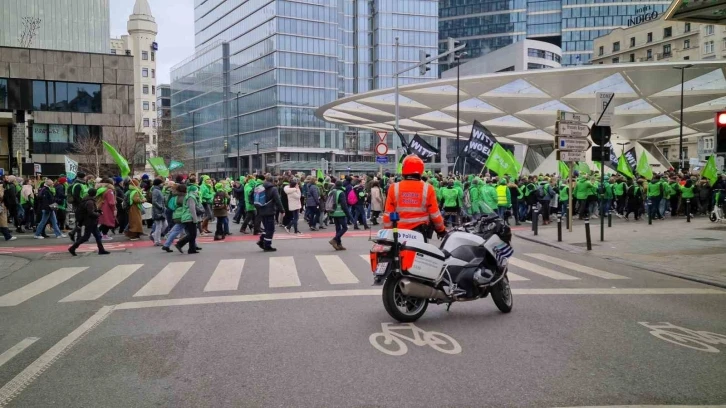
(391, 341)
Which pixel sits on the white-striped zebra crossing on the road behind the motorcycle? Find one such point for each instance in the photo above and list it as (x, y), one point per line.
(282, 272)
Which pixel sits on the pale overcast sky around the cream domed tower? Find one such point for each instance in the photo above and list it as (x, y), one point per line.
(175, 19)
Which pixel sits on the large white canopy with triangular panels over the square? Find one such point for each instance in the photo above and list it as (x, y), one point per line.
(520, 107)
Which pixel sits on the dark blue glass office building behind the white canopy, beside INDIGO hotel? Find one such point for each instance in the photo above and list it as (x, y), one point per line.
(487, 25)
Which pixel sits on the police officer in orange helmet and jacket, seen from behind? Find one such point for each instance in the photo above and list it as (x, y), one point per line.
(414, 200)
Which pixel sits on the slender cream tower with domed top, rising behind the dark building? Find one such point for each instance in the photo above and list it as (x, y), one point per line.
(141, 44)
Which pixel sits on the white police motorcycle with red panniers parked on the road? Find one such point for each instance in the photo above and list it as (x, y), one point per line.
(471, 263)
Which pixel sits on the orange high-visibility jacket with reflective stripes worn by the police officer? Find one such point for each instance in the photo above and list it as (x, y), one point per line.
(415, 201)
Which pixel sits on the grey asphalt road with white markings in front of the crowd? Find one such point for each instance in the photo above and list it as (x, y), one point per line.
(235, 327)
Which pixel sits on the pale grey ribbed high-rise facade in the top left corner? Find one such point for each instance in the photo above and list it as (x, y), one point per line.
(78, 25)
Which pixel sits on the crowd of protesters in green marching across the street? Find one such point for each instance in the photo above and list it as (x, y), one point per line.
(183, 208)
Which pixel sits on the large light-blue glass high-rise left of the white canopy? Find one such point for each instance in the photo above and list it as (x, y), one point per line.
(275, 64)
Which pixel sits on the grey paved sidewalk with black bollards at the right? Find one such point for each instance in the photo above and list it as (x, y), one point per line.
(694, 251)
